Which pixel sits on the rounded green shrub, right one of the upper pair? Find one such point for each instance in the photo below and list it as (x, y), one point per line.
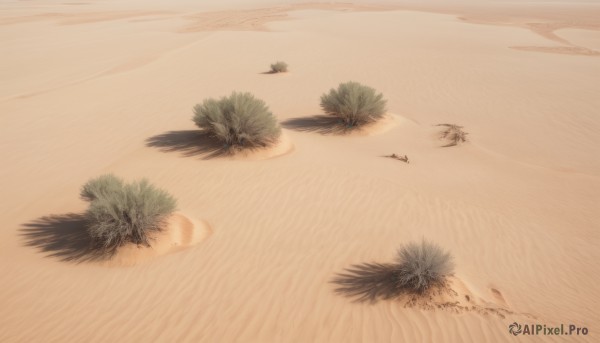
(354, 103)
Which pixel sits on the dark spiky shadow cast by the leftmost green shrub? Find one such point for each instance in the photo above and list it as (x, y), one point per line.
(62, 236)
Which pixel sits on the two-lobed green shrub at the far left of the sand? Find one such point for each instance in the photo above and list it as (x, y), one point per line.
(121, 213)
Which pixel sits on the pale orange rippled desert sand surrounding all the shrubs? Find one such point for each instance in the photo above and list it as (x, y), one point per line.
(92, 87)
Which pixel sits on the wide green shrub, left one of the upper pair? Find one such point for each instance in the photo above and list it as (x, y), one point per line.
(240, 120)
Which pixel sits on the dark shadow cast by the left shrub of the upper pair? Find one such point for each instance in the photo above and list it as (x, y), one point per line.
(189, 143)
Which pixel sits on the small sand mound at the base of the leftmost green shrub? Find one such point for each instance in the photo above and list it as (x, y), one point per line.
(181, 232)
